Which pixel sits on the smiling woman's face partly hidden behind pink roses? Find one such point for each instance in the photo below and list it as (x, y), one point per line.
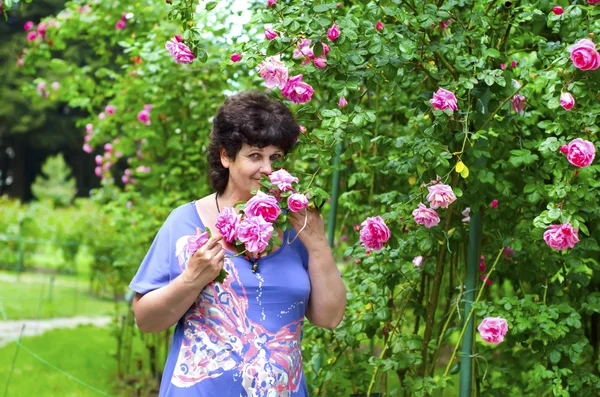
(249, 165)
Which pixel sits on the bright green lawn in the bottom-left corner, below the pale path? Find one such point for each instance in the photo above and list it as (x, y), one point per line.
(83, 352)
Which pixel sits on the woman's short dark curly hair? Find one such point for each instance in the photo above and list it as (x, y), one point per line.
(250, 117)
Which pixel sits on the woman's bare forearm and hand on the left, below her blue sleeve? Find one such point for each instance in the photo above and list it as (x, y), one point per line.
(159, 309)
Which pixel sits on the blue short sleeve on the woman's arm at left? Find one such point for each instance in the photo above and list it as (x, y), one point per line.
(155, 270)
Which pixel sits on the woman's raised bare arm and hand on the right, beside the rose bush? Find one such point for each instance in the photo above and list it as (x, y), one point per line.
(327, 301)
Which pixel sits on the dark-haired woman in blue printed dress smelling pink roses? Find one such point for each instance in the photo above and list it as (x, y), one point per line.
(240, 337)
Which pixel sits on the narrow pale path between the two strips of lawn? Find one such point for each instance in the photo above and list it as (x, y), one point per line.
(11, 329)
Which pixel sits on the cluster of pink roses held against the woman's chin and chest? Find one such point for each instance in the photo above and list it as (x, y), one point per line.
(254, 226)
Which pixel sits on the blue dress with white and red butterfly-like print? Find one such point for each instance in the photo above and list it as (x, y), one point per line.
(241, 337)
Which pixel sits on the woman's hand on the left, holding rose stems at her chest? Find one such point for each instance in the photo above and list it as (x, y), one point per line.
(206, 263)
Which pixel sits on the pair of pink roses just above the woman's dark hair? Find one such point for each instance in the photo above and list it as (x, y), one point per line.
(275, 74)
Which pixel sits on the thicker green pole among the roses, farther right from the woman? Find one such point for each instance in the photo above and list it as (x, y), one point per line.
(471, 279)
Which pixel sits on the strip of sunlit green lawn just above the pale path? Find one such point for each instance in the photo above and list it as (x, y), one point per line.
(36, 296)
